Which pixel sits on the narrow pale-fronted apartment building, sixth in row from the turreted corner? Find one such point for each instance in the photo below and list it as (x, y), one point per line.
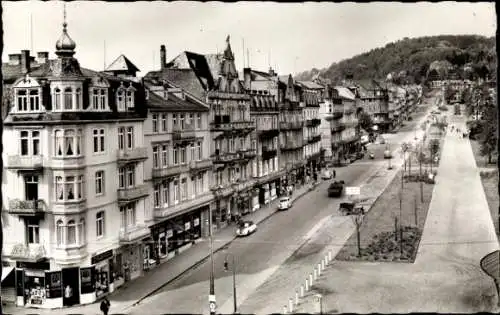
(311, 96)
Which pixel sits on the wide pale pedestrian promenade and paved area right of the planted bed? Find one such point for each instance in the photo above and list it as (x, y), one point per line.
(446, 276)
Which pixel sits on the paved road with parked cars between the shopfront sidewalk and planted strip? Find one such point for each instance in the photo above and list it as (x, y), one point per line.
(260, 255)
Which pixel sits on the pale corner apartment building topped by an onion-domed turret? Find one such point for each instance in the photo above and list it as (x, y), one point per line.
(74, 194)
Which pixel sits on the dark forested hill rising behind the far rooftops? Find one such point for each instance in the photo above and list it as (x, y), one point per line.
(409, 59)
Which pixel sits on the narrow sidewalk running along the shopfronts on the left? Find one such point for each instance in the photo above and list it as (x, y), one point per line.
(154, 280)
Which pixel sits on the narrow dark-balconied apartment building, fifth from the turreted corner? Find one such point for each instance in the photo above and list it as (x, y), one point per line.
(291, 129)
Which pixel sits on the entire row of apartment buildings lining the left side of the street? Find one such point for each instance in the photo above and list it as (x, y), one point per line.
(106, 175)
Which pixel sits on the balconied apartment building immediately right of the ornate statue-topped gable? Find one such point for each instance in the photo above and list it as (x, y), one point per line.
(264, 111)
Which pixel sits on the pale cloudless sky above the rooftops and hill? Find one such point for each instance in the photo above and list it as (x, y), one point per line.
(290, 37)
